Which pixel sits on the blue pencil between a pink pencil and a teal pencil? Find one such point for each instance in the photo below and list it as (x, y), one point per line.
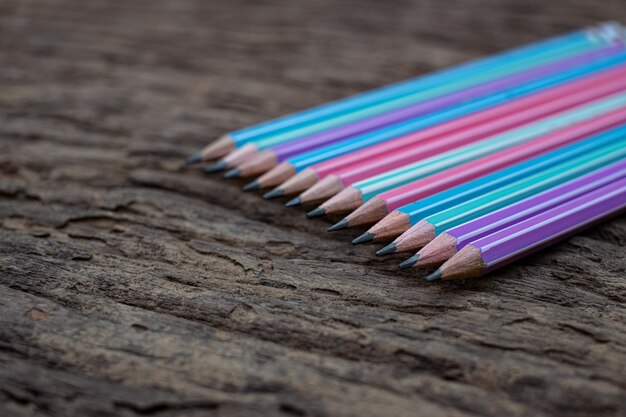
(401, 219)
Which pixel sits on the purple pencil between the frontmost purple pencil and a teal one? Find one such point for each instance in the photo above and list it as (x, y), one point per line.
(448, 243)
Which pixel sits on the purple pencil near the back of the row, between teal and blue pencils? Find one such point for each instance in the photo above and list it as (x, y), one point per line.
(271, 156)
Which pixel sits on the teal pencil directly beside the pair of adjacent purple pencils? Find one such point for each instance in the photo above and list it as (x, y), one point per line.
(427, 229)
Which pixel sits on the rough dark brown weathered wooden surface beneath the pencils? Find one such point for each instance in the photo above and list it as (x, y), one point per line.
(130, 285)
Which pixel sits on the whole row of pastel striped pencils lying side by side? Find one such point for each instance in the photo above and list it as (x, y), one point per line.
(468, 168)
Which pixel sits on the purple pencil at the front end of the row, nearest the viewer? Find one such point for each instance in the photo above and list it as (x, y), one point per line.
(526, 237)
